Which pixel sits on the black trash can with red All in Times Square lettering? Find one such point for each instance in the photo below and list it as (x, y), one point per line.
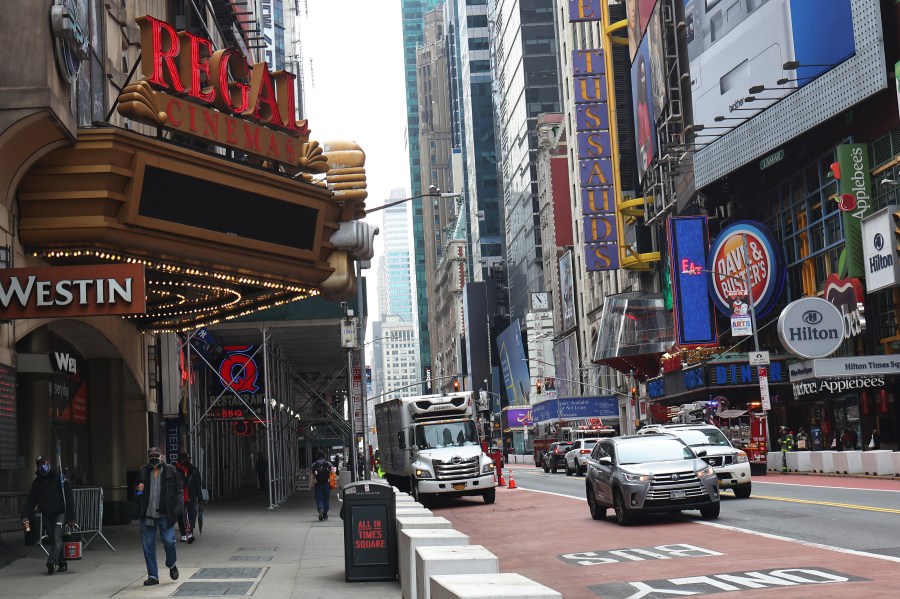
(370, 531)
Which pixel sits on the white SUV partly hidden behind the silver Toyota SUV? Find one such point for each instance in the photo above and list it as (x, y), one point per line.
(731, 464)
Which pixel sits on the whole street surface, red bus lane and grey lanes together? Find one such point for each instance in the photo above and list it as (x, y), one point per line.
(816, 536)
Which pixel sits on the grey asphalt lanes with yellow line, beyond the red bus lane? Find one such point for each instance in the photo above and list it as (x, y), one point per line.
(852, 513)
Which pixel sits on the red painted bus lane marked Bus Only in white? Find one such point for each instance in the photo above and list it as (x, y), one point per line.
(553, 540)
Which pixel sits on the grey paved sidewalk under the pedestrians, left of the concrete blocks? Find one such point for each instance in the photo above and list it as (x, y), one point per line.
(245, 549)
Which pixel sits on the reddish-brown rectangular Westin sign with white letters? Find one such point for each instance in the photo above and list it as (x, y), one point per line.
(53, 292)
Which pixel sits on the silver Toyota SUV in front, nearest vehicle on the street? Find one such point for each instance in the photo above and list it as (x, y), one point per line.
(639, 474)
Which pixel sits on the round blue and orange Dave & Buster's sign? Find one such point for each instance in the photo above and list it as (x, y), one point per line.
(727, 272)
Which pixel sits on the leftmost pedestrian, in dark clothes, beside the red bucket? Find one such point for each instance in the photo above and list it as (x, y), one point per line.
(54, 498)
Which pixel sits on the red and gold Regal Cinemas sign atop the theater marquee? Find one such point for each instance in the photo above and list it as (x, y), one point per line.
(189, 87)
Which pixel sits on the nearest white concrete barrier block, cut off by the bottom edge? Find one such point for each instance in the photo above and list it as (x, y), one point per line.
(488, 586)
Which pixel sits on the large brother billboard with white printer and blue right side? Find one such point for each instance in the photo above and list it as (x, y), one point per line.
(735, 46)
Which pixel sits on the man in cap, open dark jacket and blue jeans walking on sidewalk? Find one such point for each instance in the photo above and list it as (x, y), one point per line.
(160, 499)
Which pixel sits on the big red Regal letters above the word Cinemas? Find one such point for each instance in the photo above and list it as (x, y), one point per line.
(185, 64)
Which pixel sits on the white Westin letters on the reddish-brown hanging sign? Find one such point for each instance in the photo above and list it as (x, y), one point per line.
(65, 292)
